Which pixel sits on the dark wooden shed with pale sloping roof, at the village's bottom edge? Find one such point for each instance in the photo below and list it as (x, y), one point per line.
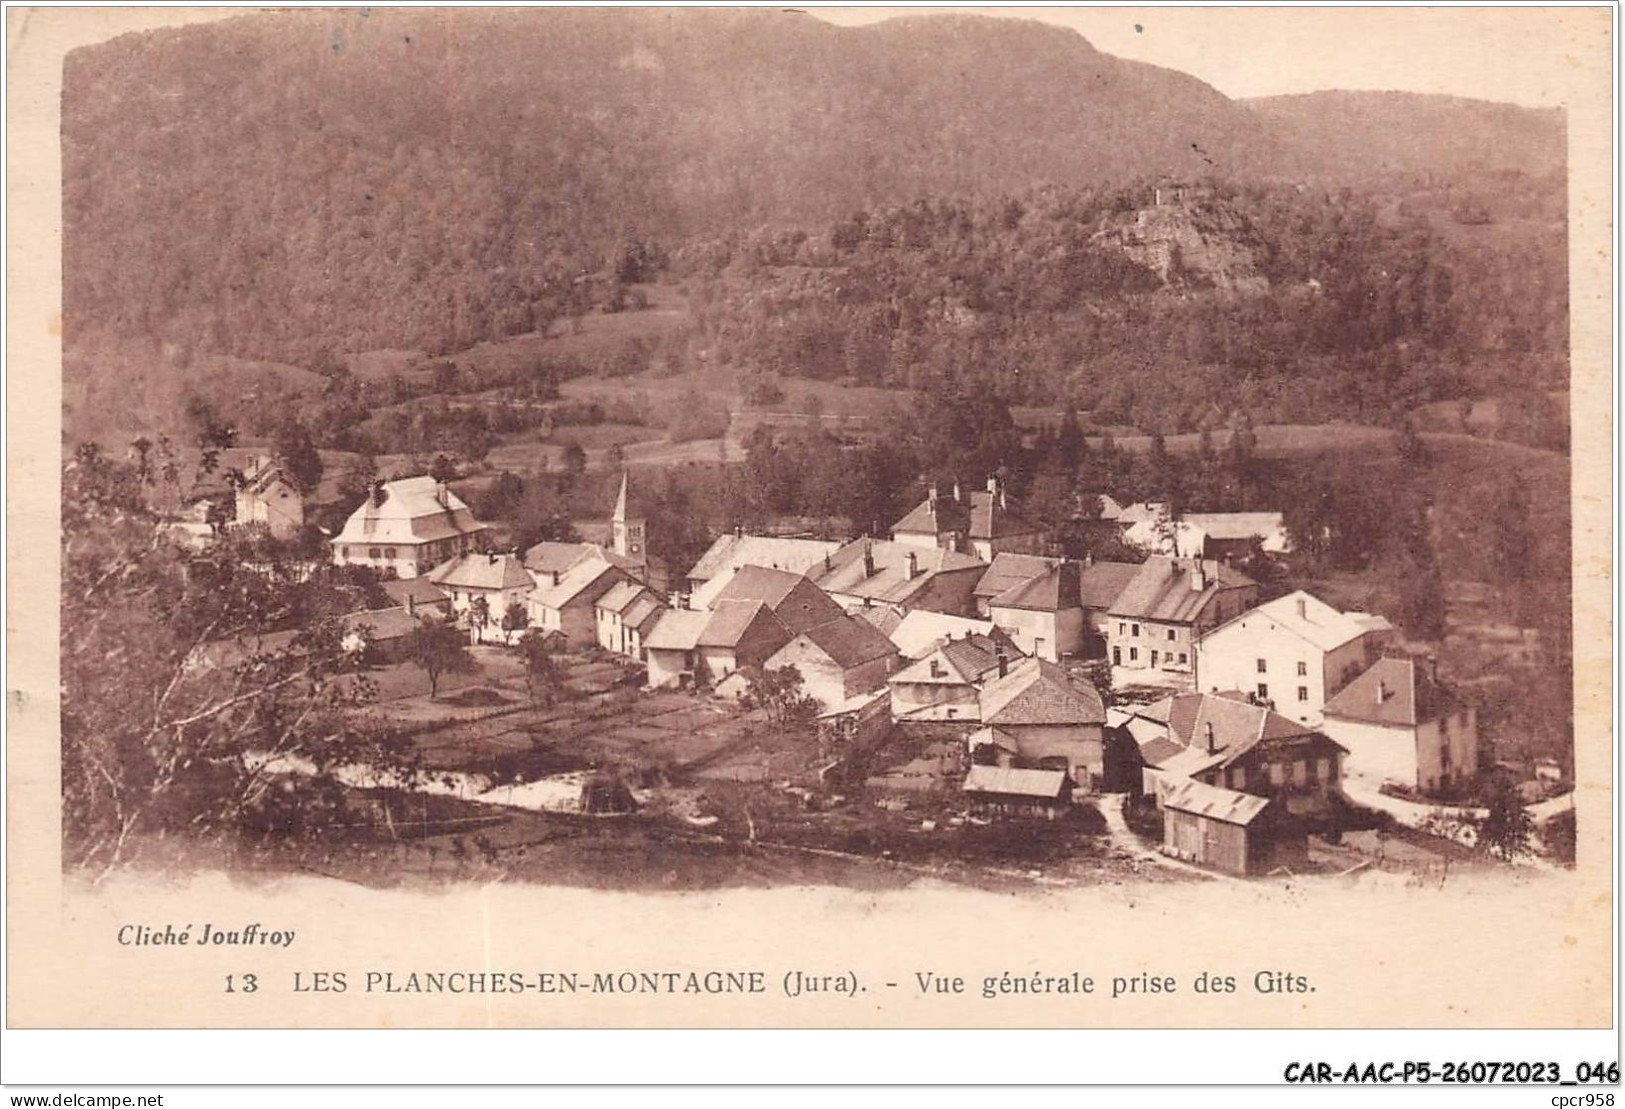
(1236, 833)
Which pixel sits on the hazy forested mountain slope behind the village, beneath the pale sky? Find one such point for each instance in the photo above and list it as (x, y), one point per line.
(300, 186)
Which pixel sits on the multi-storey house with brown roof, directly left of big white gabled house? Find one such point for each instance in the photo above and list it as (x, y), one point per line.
(1155, 624)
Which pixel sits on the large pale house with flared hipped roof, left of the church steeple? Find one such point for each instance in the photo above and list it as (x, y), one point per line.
(409, 526)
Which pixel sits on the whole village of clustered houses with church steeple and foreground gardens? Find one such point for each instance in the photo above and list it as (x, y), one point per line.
(945, 697)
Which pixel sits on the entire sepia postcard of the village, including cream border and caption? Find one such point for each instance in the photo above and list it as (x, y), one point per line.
(667, 459)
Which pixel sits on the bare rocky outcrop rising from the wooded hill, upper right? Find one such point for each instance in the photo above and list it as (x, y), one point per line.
(1192, 241)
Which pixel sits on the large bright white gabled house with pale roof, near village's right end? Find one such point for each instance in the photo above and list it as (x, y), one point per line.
(1291, 653)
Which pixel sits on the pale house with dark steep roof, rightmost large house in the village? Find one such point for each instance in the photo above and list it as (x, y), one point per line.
(1402, 726)
